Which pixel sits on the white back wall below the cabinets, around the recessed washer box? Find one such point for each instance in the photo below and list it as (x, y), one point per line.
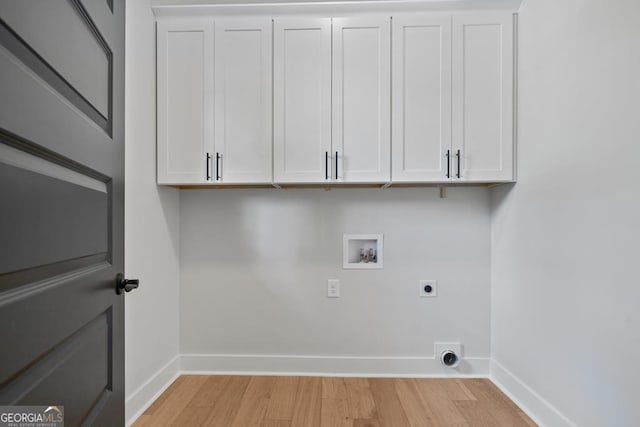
(254, 266)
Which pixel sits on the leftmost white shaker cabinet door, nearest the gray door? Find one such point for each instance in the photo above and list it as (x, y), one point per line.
(185, 100)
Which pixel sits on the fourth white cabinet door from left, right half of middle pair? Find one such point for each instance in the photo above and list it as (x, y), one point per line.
(361, 99)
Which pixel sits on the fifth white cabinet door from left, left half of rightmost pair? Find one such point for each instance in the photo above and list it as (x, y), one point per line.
(421, 108)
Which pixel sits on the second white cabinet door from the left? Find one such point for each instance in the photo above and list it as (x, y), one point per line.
(243, 101)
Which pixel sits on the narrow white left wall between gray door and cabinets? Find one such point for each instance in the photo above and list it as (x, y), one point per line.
(151, 223)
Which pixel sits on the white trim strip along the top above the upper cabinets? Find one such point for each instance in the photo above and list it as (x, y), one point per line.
(329, 8)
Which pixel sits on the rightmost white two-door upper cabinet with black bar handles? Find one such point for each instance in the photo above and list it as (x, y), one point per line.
(453, 98)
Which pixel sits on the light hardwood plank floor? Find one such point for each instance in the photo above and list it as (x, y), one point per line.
(199, 400)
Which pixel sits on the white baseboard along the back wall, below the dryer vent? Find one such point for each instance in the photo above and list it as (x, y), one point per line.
(241, 364)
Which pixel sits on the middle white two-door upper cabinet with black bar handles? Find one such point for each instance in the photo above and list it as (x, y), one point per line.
(325, 136)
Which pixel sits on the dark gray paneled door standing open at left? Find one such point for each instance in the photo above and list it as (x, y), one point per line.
(61, 207)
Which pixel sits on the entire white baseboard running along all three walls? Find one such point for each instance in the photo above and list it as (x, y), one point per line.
(534, 405)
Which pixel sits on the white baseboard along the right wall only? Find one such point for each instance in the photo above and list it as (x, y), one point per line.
(535, 406)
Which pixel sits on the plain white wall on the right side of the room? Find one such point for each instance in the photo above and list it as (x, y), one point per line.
(566, 311)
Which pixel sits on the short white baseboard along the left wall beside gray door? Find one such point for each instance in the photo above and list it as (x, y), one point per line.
(138, 401)
